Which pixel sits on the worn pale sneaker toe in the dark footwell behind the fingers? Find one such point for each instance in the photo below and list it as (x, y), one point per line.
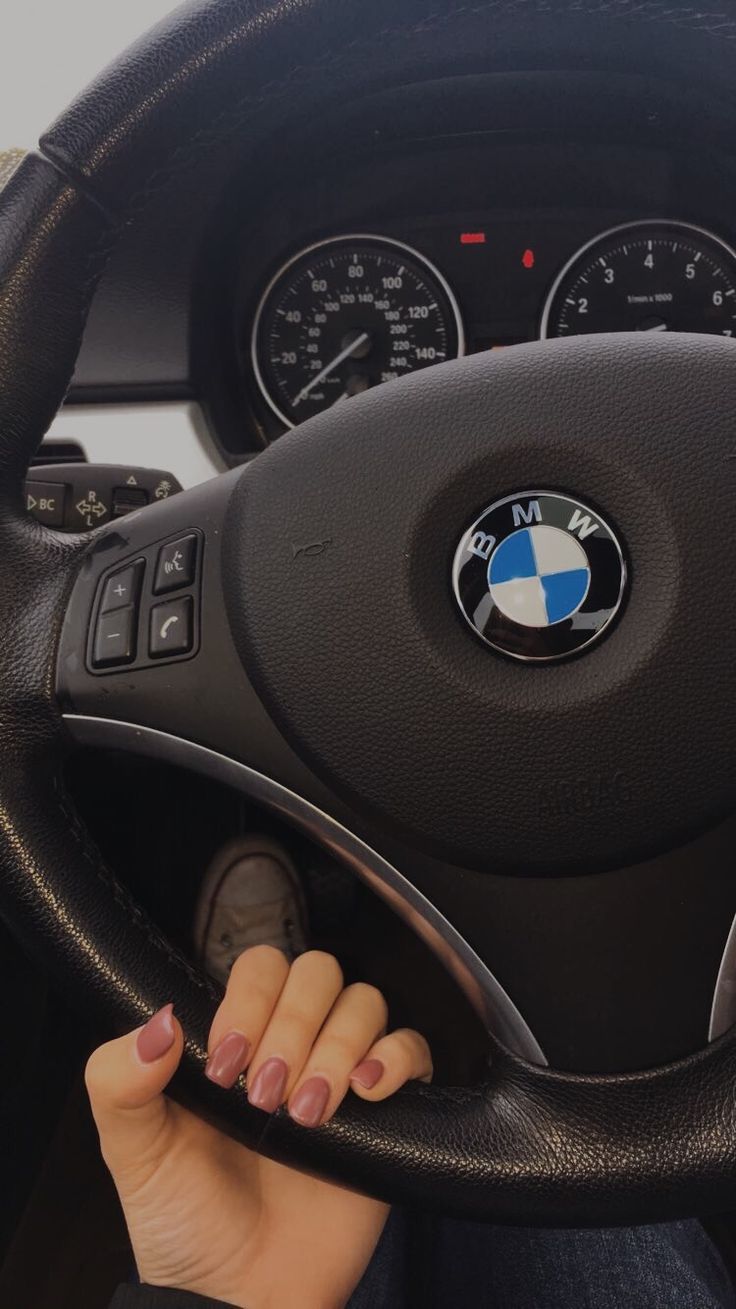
(251, 896)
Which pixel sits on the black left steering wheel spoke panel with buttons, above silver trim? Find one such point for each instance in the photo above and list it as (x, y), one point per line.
(147, 637)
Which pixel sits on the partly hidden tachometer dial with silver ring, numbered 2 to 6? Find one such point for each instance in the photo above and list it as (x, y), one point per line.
(646, 277)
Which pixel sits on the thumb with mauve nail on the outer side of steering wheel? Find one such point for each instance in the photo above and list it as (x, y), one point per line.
(125, 1082)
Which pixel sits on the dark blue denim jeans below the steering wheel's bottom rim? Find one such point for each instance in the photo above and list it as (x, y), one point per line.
(473, 1266)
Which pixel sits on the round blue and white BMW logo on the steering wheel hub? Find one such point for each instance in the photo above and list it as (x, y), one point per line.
(539, 577)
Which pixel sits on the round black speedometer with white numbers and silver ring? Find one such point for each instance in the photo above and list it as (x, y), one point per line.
(349, 315)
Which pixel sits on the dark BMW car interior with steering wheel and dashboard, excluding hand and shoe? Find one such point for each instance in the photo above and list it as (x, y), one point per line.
(307, 312)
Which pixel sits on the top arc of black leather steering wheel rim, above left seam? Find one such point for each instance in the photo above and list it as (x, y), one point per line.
(243, 67)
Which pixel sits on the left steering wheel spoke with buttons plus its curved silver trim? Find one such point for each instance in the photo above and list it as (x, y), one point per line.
(174, 688)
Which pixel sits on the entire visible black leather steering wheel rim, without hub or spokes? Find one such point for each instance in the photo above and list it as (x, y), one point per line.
(530, 1146)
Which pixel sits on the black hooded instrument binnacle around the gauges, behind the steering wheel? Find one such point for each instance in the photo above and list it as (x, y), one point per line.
(473, 244)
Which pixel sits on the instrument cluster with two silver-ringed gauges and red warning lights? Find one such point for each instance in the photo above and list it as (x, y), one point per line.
(356, 311)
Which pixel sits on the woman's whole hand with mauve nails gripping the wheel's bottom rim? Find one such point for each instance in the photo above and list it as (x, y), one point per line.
(209, 1215)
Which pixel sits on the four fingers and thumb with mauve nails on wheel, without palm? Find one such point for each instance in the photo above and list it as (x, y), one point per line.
(303, 1040)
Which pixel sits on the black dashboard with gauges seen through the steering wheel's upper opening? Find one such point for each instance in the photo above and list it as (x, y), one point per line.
(458, 217)
